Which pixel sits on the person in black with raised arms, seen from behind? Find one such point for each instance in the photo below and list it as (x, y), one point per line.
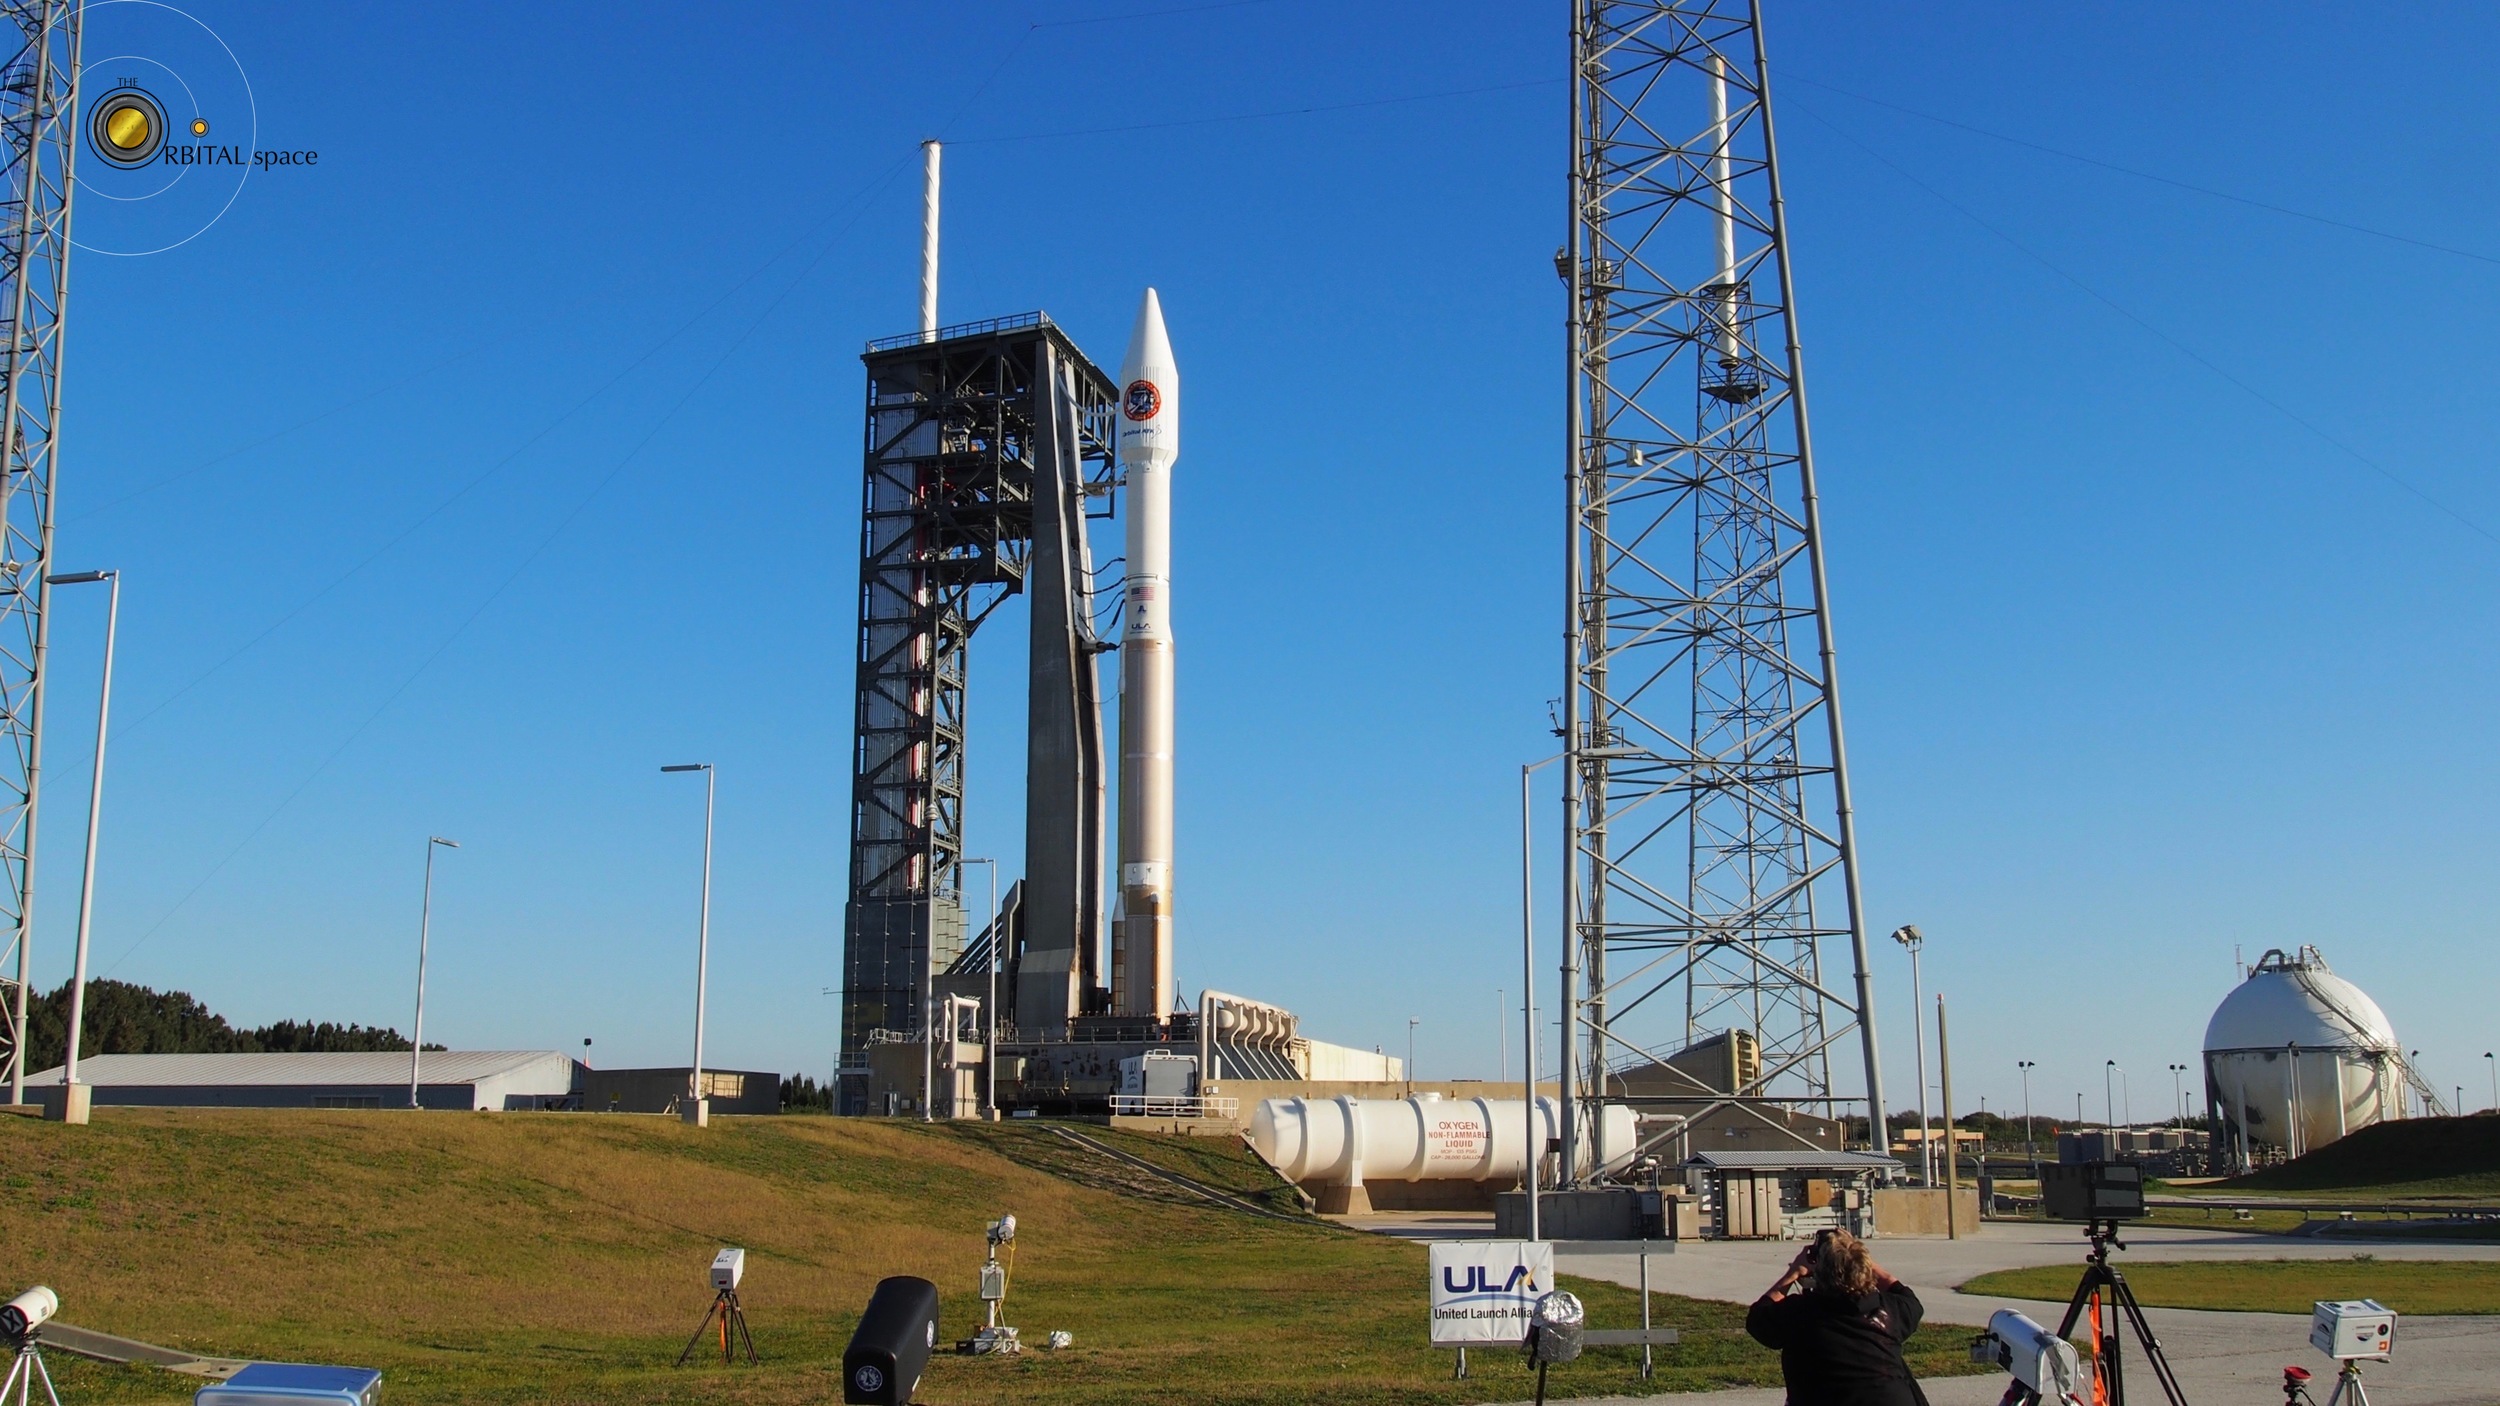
(1839, 1322)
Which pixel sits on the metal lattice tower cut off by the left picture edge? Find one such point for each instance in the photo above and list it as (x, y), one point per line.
(39, 126)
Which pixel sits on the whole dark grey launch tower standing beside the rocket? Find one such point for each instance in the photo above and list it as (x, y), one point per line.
(986, 447)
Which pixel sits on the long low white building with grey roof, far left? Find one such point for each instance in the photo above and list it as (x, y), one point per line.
(454, 1080)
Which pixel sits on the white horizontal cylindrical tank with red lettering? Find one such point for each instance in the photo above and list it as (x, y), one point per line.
(1351, 1142)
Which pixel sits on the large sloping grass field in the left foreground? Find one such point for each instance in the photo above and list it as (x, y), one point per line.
(559, 1257)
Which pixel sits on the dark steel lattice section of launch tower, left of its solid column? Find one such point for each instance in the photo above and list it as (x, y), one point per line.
(966, 429)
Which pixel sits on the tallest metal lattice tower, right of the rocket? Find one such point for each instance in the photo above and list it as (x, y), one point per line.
(1709, 797)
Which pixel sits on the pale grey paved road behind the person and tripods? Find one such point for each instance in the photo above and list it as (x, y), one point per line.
(2224, 1360)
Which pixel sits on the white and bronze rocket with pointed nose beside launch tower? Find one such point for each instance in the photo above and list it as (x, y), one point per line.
(1141, 967)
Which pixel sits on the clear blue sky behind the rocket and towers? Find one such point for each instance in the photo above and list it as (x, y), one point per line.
(514, 452)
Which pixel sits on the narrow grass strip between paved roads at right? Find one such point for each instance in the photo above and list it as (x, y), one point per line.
(2276, 1285)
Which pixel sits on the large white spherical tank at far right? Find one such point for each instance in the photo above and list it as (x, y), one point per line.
(2299, 1057)
